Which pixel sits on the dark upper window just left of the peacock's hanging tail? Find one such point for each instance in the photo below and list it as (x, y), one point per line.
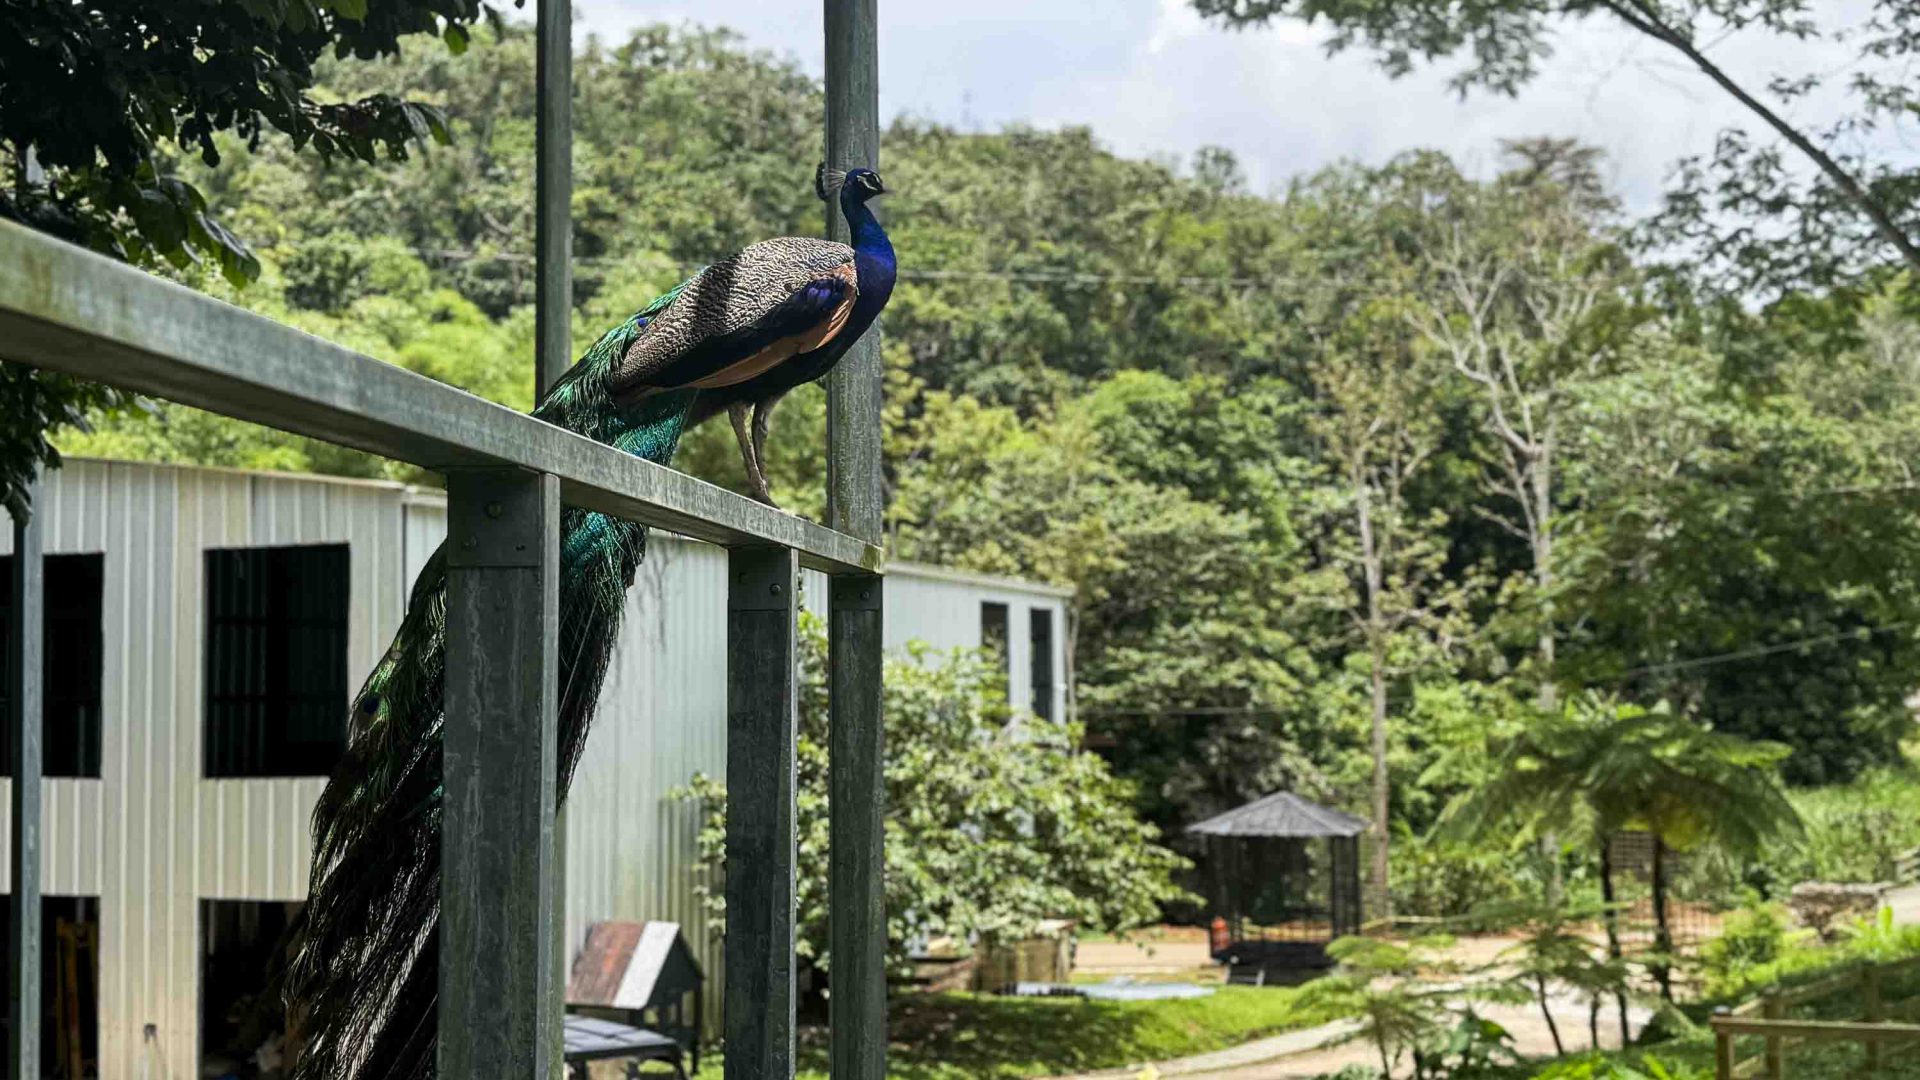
(277, 660)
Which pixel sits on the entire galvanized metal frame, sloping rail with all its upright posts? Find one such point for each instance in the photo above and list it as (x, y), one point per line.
(508, 474)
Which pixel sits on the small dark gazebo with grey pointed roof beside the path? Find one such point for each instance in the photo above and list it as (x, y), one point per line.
(1274, 900)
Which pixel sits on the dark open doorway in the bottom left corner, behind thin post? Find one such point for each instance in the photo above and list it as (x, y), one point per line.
(70, 985)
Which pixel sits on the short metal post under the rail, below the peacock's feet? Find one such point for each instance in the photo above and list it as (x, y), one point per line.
(763, 725)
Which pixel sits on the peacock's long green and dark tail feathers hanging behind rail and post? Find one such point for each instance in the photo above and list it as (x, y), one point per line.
(362, 960)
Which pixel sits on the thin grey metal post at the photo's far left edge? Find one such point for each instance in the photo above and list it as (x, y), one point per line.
(24, 739)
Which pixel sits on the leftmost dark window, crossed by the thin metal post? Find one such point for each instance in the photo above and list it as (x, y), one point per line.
(70, 664)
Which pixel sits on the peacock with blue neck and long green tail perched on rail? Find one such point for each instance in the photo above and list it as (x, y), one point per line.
(362, 971)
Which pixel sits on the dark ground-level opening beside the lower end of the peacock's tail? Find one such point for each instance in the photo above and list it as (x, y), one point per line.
(243, 1025)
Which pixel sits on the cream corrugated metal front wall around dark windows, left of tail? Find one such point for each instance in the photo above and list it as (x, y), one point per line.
(151, 839)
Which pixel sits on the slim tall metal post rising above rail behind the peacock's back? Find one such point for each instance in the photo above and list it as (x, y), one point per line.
(554, 301)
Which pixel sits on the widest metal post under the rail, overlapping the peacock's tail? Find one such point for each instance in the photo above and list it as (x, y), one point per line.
(496, 893)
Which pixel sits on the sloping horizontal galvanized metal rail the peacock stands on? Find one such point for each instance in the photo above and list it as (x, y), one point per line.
(70, 310)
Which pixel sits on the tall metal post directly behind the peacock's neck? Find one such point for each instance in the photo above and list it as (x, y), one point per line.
(855, 506)
